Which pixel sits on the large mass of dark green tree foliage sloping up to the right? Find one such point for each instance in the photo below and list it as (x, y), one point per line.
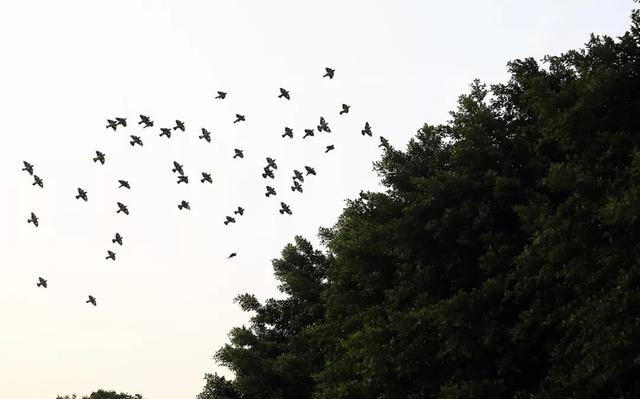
(502, 261)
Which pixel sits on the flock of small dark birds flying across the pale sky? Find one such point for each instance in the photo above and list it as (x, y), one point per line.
(268, 170)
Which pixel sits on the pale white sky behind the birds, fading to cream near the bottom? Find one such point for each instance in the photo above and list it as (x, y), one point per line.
(166, 304)
